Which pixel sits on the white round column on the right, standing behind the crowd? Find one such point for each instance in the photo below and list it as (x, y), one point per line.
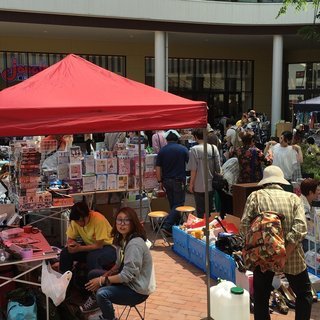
(276, 81)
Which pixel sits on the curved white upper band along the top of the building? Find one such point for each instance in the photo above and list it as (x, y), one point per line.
(196, 11)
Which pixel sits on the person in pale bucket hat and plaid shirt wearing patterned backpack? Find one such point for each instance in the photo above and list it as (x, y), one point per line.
(273, 199)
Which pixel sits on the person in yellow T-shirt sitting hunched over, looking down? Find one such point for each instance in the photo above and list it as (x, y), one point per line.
(89, 240)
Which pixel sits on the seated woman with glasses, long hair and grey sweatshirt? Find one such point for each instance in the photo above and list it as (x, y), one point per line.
(131, 280)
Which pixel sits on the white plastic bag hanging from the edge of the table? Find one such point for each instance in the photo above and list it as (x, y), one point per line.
(54, 284)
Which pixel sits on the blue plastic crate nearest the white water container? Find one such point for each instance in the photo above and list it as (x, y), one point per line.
(222, 265)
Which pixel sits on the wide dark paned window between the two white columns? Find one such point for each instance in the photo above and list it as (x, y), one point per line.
(208, 80)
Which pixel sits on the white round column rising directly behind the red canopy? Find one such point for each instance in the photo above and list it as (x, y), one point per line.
(161, 60)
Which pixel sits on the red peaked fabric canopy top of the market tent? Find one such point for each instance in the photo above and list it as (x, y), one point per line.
(76, 96)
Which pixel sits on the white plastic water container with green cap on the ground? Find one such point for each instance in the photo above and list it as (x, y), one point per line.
(229, 302)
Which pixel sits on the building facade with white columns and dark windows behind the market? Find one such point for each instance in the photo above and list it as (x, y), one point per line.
(233, 55)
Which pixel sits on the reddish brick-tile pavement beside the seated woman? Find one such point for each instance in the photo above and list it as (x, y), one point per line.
(181, 290)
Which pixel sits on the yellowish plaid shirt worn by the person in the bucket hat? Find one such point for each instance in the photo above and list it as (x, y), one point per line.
(274, 198)
